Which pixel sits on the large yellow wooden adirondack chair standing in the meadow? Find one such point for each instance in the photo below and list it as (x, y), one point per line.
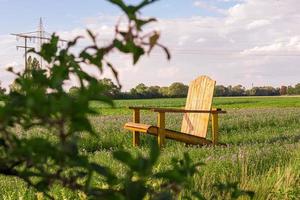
(197, 112)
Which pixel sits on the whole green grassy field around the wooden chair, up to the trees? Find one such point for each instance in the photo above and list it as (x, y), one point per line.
(263, 134)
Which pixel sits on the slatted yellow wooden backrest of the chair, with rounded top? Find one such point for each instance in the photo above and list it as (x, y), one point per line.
(200, 96)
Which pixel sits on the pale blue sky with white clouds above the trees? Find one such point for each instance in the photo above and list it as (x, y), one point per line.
(248, 42)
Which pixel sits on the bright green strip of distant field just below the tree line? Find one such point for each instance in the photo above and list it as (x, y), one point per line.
(120, 106)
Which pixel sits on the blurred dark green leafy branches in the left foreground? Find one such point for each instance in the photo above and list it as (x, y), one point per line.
(41, 101)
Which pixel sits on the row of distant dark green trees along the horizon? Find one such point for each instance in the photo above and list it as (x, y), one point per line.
(177, 89)
